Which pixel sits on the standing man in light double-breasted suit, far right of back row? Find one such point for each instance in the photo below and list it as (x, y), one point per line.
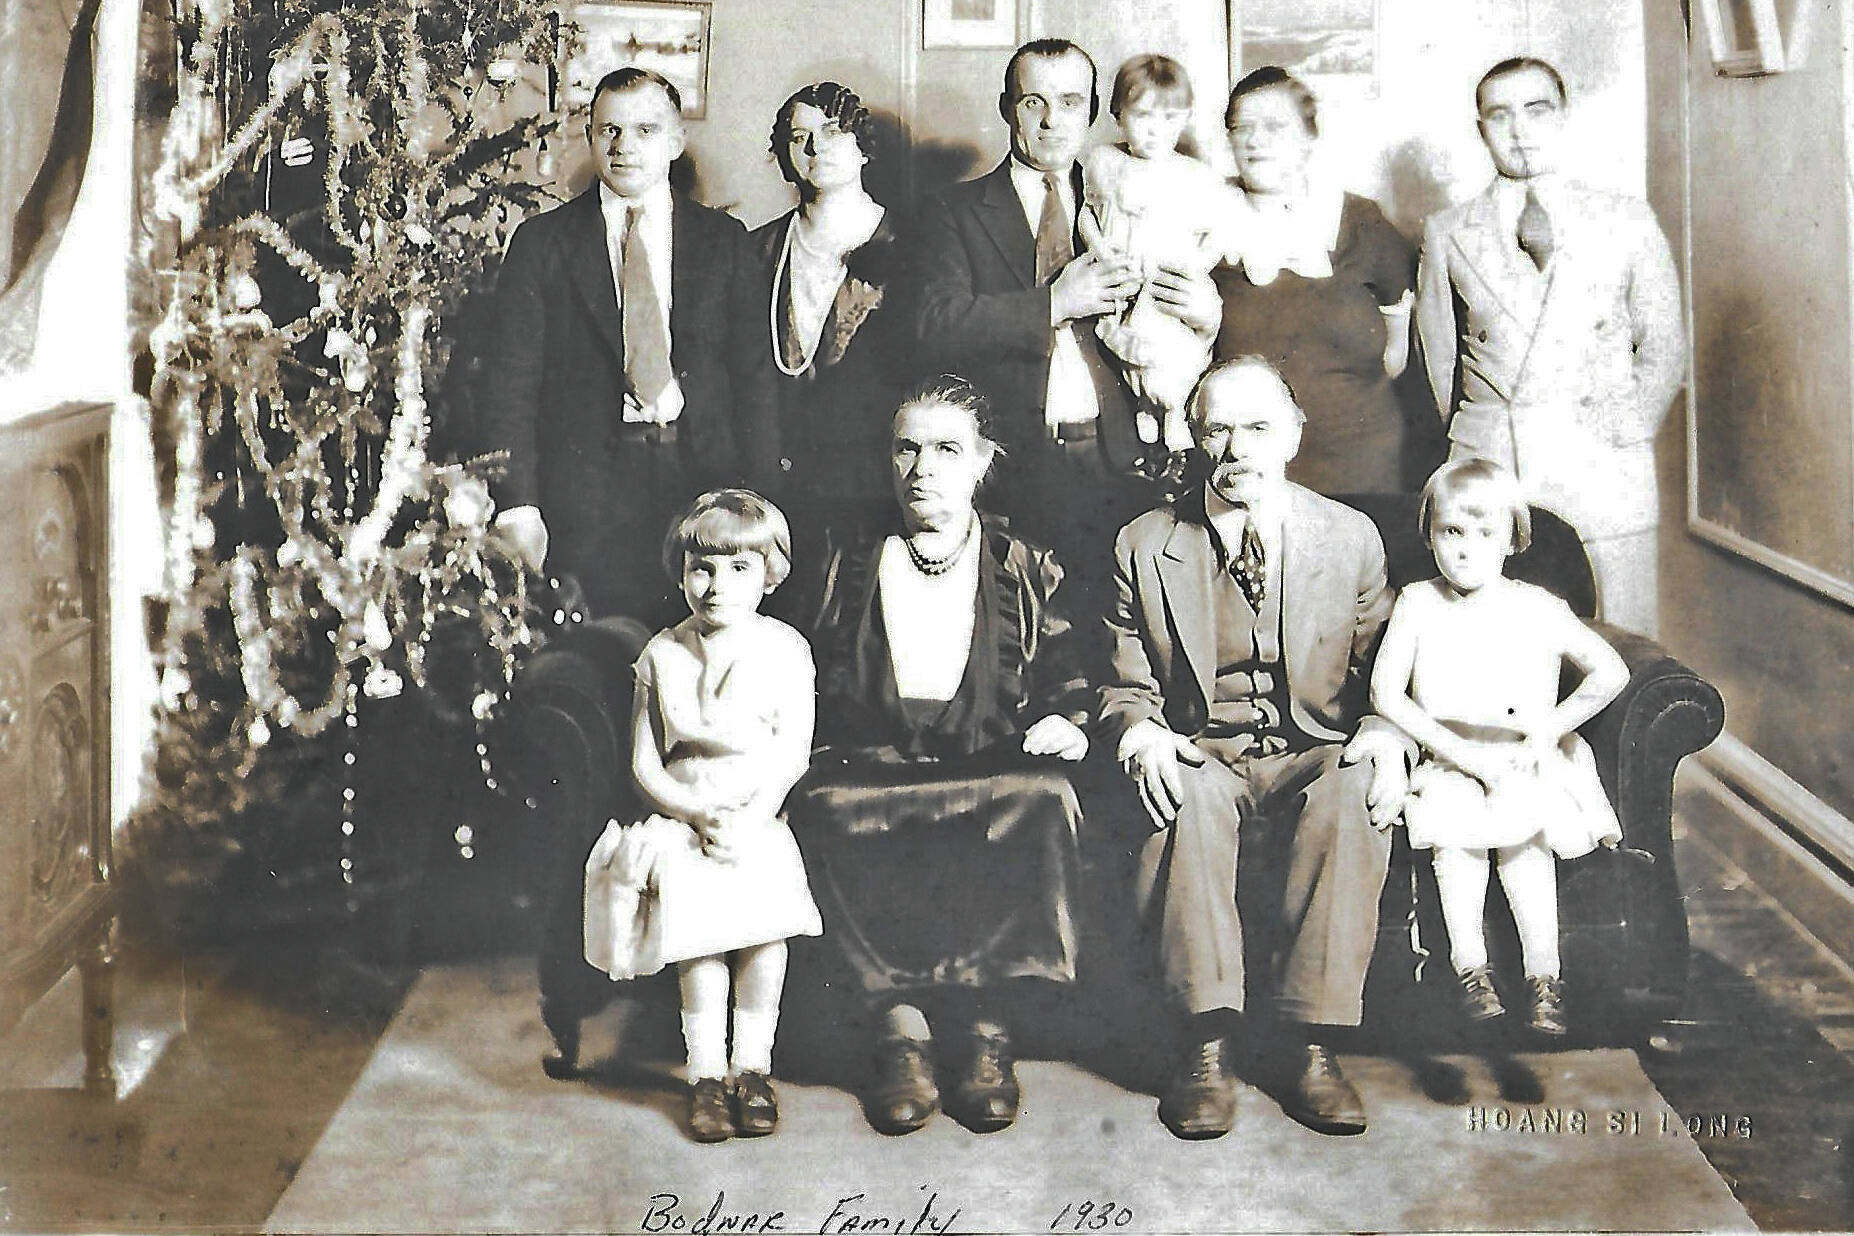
(1551, 327)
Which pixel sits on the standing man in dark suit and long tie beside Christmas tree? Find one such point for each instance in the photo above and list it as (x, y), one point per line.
(620, 379)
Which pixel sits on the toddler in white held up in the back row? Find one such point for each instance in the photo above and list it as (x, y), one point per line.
(1158, 207)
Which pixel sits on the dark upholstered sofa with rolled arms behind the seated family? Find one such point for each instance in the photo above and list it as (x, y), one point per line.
(565, 742)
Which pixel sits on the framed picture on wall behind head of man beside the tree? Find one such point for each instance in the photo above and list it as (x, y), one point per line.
(668, 36)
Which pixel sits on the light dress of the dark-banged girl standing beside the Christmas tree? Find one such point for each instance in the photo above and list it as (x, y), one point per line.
(652, 896)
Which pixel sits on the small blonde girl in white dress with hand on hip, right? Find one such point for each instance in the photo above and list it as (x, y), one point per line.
(1469, 668)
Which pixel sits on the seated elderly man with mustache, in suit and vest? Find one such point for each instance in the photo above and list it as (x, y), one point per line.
(1245, 624)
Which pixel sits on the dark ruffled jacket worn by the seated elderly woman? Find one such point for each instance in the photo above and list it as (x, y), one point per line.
(1028, 657)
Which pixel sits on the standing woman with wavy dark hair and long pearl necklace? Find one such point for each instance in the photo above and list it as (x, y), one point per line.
(826, 310)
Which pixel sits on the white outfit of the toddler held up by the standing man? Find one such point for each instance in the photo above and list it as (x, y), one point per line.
(1169, 212)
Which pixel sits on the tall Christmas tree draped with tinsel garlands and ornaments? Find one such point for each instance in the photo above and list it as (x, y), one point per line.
(314, 546)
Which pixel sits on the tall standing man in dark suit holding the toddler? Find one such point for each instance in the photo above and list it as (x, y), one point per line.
(1006, 303)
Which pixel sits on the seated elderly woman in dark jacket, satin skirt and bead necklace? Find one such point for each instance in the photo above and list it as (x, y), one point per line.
(939, 829)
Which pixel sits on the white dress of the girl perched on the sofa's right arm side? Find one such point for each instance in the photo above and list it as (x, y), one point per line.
(1484, 666)
